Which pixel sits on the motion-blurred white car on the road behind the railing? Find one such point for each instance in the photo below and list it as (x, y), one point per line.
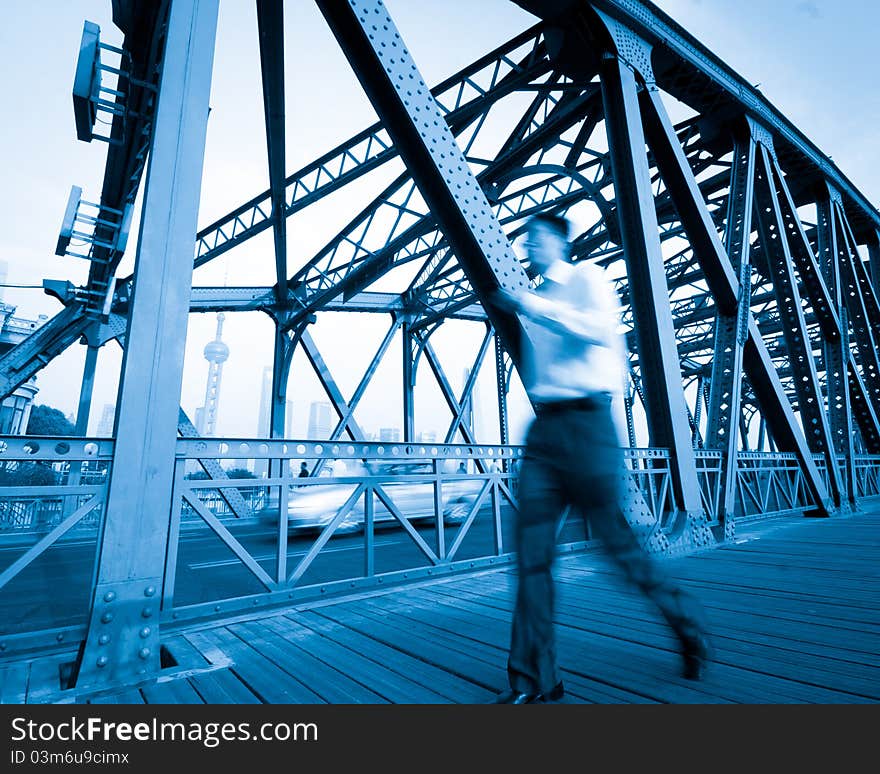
(313, 506)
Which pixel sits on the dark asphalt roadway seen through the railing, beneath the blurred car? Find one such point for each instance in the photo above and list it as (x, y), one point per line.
(54, 590)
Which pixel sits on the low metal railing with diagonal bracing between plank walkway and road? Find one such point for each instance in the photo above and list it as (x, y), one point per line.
(378, 514)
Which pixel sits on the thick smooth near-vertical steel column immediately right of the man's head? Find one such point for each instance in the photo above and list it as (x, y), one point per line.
(649, 294)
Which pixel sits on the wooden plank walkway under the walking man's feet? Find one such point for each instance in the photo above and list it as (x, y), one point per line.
(793, 610)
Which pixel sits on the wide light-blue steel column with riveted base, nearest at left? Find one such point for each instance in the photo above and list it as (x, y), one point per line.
(122, 642)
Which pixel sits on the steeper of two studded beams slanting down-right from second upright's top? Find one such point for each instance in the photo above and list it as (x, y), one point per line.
(775, 243)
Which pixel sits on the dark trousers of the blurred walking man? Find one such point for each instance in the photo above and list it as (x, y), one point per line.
(573, 458)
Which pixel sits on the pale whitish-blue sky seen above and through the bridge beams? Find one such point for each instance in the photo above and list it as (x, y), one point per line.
(815, 61)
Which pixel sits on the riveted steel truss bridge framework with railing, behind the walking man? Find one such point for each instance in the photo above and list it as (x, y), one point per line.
(747, 263)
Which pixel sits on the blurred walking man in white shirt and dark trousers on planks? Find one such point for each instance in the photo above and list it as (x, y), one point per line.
(572, 365)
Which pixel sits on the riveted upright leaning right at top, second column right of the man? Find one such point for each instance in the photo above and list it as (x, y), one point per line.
(731, 330)
